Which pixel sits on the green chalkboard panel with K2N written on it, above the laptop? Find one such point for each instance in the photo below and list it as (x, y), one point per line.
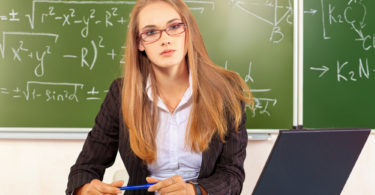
(339, 64)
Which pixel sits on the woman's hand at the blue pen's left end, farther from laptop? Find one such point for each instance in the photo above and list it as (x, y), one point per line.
(97, 187)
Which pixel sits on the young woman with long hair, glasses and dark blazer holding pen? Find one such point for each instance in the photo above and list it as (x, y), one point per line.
(176, 118)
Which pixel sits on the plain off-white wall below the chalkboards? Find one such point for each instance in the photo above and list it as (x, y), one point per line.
(41, 167)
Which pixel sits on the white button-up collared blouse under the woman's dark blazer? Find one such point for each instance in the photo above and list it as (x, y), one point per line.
(172, 157)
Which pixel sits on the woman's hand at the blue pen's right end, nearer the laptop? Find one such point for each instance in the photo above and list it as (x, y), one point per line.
(171, 186)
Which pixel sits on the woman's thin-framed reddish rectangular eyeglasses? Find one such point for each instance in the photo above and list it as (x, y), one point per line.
(154, 35)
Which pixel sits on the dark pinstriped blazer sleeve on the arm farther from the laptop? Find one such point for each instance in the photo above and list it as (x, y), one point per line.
(101, 145)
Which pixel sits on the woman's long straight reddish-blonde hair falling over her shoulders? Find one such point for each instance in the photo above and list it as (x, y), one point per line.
(217, 93)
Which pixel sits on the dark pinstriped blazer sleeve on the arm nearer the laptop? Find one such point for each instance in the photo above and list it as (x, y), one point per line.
(229, 174)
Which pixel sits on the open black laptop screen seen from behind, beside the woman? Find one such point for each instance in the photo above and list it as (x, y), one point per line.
(311, 162)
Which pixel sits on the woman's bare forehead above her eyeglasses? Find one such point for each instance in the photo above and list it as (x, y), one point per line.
(157, 14)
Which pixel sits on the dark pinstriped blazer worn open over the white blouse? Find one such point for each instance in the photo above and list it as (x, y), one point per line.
(221, 172)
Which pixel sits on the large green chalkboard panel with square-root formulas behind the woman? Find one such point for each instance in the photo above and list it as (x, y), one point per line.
(58, 58)
